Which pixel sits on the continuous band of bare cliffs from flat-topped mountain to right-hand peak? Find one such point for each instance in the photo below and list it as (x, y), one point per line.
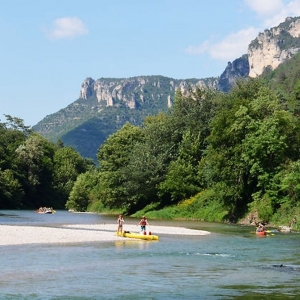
(268, 50)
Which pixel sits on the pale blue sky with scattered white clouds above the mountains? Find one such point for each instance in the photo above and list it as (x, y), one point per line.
(48, 48)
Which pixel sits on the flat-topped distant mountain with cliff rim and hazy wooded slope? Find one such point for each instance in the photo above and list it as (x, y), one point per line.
(106, 104)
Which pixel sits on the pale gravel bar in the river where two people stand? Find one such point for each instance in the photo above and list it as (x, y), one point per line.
(21, 235)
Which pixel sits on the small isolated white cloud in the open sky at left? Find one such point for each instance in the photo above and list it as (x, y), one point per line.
(67, 28)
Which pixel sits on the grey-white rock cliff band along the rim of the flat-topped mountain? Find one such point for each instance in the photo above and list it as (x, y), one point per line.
(137, 91)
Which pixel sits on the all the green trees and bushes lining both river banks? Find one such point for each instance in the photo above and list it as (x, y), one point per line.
(214, 156)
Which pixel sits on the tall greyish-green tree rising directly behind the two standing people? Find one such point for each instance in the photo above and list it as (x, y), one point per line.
(149, 161)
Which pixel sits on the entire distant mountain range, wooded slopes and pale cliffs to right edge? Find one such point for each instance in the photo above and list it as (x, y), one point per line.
(106, 104)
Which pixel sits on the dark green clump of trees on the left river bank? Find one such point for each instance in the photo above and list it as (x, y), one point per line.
(31, 168)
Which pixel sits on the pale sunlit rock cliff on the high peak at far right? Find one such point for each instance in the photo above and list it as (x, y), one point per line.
(274, 46)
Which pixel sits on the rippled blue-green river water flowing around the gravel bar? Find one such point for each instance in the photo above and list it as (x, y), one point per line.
(230, 263)
